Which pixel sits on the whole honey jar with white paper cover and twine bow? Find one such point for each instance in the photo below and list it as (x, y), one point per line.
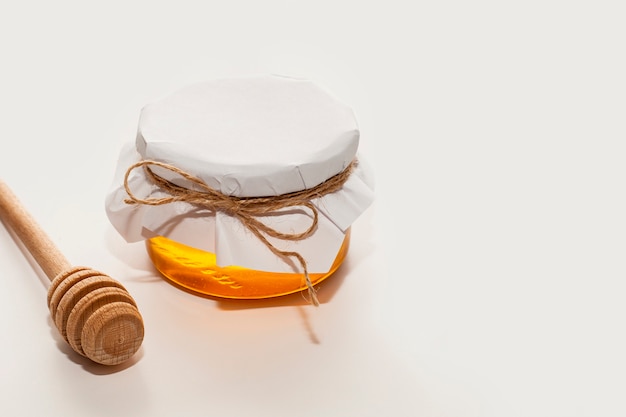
(243, 187)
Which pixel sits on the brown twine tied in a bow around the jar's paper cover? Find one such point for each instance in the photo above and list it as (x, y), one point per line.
(245, 209)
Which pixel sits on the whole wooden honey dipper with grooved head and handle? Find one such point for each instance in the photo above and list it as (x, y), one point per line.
(93, 312)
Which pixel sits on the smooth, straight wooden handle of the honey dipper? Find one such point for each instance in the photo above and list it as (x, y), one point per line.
(43, 250)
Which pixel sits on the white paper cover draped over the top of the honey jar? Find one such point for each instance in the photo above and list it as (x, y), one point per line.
(246, 137)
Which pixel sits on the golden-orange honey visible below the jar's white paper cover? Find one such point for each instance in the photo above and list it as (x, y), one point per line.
(197, 271)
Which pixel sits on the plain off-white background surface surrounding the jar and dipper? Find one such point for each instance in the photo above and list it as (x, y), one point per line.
(486, 280)
